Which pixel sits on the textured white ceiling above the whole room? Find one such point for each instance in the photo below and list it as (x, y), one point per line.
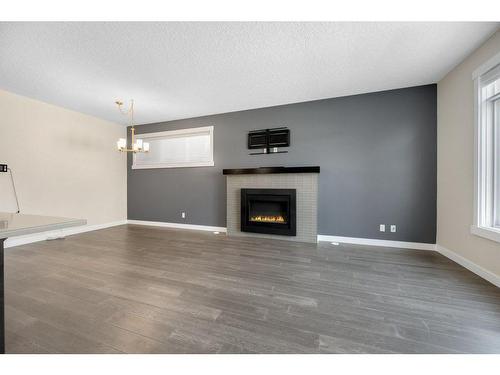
(185, 69)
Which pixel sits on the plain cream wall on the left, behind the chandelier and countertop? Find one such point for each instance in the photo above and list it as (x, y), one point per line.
(65, 163)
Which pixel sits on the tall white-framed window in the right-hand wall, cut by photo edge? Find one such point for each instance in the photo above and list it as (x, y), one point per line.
(487, 162)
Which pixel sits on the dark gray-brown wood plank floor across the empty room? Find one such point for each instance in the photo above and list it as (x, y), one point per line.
(140, 289)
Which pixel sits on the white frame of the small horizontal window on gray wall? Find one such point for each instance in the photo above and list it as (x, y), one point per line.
(175, 133)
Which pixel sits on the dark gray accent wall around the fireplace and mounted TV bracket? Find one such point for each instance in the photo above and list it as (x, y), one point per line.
(377, 154)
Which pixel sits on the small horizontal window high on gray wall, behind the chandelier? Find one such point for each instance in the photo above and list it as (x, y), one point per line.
(177, 148)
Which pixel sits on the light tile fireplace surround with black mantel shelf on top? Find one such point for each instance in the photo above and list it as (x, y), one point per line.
(303, 179)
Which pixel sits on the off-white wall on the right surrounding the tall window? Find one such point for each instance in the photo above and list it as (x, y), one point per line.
(455, 163)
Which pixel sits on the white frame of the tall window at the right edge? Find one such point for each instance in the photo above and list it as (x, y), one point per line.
(484, 153)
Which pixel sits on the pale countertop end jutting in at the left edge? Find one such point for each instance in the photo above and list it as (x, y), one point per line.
(20, 224)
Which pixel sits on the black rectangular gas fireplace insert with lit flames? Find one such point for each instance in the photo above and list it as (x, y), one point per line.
(270, 211)
